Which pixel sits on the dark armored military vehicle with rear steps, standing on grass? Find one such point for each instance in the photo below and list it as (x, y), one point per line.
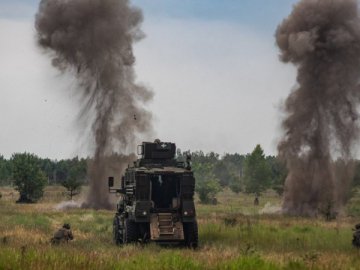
(157, 201)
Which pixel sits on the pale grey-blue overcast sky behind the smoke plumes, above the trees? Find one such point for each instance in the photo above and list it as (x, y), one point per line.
(212, 64)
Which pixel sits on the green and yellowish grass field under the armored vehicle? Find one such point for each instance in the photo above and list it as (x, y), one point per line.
(233, 235)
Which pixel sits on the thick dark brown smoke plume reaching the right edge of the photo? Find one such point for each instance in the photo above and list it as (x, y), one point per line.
(322, 39)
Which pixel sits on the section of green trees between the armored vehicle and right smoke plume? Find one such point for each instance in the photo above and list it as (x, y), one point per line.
(250, 173)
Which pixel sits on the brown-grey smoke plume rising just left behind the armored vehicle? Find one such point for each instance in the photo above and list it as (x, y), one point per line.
(93, 40)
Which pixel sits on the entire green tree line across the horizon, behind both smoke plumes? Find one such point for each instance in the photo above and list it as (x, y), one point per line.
(251, 173)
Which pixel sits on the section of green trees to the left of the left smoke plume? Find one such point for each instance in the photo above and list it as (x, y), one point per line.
(30, 174)
